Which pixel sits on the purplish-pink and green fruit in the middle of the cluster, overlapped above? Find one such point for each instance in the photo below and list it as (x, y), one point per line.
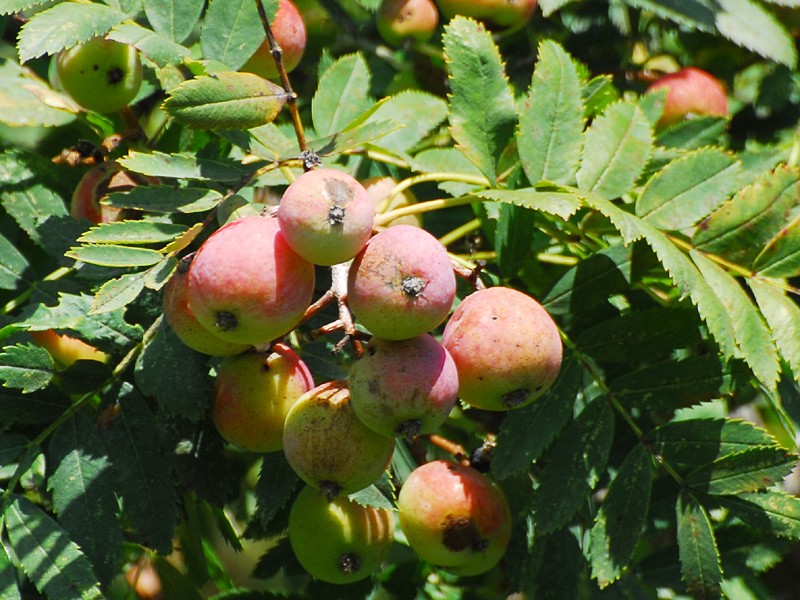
(404, 387)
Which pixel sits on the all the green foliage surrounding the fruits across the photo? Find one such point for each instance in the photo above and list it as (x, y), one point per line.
(659, 465)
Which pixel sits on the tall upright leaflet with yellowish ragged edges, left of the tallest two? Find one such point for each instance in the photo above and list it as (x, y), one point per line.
(482, 110)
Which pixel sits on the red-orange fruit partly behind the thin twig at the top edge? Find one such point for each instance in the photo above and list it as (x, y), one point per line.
(290, 34)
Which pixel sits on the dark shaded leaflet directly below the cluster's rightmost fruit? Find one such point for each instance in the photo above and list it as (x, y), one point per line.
(527, 432)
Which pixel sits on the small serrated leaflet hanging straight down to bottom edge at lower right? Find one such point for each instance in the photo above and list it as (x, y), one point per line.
(697, 548)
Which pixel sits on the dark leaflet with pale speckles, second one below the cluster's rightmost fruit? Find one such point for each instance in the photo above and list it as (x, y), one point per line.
(573, 465)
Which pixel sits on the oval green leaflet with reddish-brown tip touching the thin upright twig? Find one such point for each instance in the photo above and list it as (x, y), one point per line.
(226, 100)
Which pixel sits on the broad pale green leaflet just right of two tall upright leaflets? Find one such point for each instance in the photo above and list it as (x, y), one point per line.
(617, 148)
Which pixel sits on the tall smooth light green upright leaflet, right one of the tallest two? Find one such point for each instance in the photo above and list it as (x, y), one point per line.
(551, 122)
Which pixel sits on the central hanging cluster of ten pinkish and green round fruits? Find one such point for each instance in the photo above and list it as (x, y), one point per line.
(251, 282)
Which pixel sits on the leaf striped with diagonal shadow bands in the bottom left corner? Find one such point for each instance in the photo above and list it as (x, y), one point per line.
(52, 561)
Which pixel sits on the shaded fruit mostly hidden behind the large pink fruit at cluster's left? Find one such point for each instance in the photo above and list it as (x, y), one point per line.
(181, 319)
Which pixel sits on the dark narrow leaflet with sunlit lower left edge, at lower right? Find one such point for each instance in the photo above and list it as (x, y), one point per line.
(622, 517)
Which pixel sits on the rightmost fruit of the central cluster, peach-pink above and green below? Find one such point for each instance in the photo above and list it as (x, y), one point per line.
(506, 347)
